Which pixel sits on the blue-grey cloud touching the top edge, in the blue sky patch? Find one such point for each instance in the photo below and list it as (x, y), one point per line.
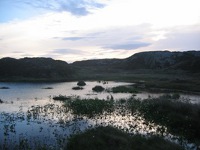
(75, 7)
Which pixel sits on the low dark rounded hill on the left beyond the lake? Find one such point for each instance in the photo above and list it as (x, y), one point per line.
(34, 69)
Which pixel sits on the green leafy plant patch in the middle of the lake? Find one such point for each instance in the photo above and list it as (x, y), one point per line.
(90, 107)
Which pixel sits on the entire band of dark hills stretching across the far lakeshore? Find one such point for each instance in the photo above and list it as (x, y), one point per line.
(47, 69)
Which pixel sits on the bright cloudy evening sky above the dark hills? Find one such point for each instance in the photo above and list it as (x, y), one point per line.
(73, 30)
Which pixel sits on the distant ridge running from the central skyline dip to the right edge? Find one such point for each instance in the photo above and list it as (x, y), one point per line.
(189, 61)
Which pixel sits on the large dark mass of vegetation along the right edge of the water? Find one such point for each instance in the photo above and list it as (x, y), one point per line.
(180, 118)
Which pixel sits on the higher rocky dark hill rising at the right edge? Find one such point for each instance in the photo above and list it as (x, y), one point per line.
(188, 61)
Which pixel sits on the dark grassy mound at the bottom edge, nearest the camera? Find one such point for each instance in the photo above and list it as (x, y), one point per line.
(109, 138)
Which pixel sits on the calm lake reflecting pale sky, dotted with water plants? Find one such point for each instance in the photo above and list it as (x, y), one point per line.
(30, 117)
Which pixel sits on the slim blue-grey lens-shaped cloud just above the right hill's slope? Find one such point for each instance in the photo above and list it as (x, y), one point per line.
(131, 46)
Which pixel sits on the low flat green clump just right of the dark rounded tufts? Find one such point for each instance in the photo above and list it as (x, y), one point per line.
(124, 89)
